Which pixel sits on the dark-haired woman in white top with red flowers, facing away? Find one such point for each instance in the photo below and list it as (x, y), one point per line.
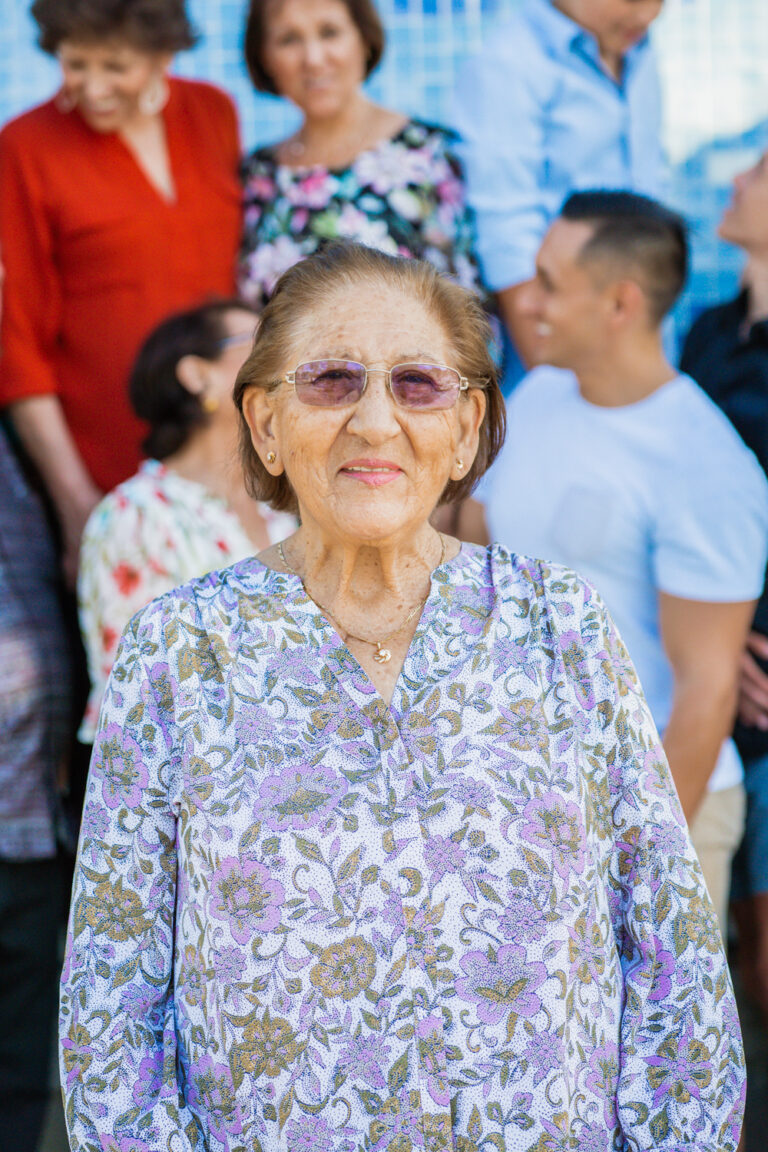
(186, 512)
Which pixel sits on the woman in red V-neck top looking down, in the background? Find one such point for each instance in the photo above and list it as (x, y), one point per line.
(119, 204)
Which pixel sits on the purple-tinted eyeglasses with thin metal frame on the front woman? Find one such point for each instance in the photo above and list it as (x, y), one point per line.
(336, 384)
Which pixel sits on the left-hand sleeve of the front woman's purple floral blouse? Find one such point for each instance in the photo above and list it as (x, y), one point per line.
(119, 1059)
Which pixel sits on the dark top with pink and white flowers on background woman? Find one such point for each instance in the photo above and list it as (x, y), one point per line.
(404, 196)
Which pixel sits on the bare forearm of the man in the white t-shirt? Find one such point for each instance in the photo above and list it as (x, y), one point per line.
(704, 643)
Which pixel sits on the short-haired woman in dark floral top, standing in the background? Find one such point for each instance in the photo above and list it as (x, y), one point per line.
(354, 169)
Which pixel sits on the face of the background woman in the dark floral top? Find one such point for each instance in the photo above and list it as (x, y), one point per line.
(315, 54)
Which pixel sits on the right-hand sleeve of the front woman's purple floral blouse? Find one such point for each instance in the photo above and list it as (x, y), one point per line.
(681, 1065)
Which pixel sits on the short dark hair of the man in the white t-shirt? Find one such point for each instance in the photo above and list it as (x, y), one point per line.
(641, 234)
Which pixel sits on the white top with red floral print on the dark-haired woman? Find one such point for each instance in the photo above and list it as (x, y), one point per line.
(150, 534)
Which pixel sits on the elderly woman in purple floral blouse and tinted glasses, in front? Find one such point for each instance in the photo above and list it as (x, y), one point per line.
(381, 850)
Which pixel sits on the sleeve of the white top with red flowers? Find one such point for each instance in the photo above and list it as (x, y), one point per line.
(125, 564)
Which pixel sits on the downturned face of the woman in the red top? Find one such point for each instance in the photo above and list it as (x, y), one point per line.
(107, 81)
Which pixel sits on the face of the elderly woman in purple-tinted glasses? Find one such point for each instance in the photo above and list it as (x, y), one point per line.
(369, 471)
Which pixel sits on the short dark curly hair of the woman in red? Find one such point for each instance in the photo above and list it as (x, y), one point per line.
(150, 26)
